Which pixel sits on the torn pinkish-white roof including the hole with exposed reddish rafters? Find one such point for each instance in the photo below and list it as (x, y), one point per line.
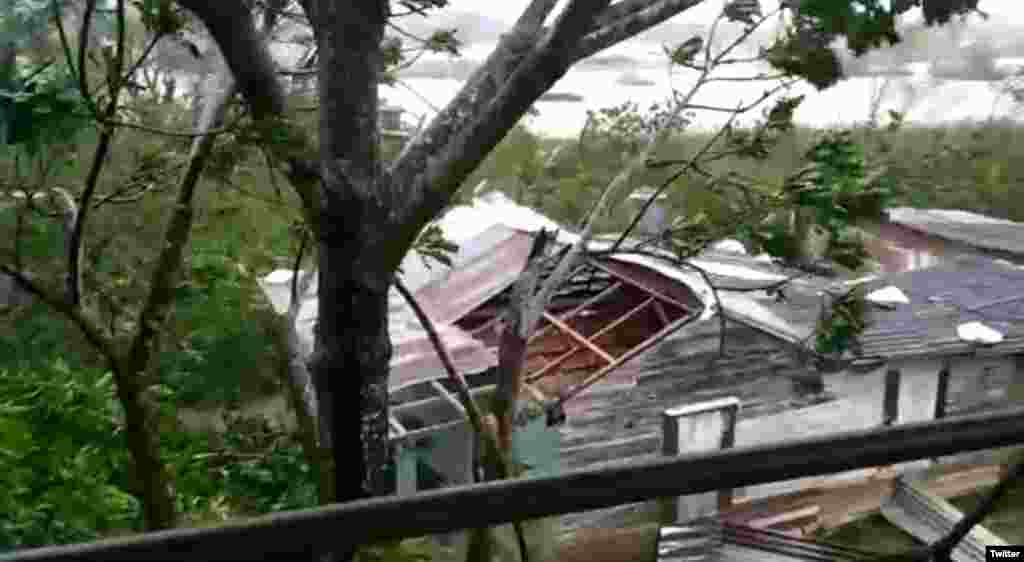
(614, 308)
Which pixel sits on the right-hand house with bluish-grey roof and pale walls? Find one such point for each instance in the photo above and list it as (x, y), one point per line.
(948, 338)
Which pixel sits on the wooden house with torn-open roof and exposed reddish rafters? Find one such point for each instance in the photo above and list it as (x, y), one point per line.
(614, 315)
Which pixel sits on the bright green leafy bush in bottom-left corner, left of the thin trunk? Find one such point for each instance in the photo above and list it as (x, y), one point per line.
(61, 458)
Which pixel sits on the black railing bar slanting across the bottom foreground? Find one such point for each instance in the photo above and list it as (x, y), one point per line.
(286, 536)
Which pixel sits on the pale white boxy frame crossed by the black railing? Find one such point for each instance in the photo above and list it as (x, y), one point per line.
(699, 428)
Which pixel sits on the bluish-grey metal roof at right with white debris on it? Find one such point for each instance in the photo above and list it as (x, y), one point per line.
(970, 289)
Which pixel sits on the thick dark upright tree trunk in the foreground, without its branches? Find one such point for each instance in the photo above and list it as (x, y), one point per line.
(357, 262)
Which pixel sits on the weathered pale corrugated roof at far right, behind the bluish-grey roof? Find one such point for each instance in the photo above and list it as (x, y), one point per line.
(963, 227)
